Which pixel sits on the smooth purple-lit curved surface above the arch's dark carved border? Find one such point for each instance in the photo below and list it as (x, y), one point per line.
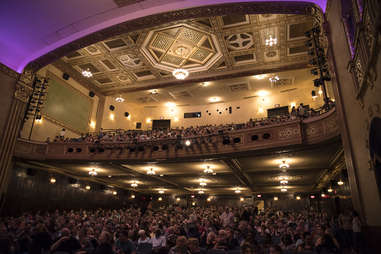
(32, 29)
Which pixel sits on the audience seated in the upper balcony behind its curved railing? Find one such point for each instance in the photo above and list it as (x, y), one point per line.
(139, 136)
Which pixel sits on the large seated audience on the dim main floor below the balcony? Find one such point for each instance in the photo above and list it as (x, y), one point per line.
(176, 230)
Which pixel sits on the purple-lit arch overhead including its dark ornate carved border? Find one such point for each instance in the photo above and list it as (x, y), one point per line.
(41, 35)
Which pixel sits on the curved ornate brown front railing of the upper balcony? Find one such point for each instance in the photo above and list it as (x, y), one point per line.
(293, 132)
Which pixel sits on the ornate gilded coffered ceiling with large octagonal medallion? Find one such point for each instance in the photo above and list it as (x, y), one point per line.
(207, 47)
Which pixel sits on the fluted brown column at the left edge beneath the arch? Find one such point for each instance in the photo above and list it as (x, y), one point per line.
(13, 121)
